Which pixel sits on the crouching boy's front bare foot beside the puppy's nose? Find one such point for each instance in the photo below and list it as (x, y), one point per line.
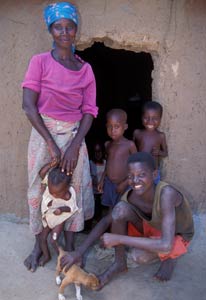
(114, 269)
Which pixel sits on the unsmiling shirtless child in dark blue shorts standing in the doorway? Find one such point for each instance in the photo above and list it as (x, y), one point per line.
(114, 179)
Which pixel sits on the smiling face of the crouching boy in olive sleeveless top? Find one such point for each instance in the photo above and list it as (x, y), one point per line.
(140, 177)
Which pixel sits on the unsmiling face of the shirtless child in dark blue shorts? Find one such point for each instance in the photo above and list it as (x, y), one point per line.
(115, 127)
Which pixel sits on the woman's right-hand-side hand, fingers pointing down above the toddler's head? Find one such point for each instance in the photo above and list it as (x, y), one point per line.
(70, 158)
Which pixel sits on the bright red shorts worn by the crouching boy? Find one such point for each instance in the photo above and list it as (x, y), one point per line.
(179, 247)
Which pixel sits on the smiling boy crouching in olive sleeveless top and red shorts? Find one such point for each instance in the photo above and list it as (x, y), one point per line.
(160, 221)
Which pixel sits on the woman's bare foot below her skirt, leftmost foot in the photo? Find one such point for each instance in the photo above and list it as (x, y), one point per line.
(32, 261)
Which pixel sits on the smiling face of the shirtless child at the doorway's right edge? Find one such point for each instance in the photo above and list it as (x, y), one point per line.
(151, 119)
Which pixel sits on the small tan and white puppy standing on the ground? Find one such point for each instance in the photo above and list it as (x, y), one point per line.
(74, 275)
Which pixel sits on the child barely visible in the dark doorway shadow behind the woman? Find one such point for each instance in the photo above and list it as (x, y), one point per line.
(97, 167)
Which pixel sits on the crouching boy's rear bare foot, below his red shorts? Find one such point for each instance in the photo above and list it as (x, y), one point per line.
(166, 269)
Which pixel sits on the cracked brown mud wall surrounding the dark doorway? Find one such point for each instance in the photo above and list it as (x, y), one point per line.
(174, 32)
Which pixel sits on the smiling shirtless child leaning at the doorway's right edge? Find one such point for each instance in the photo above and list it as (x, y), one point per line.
(150, 139)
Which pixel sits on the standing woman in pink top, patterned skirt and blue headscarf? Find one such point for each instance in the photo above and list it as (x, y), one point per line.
(59, 99)
